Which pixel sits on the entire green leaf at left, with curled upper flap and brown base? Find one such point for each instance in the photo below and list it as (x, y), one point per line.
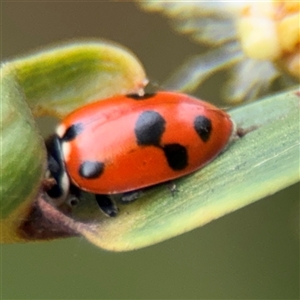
(53, 81)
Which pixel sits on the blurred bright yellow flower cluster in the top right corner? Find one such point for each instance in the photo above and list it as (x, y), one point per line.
(271, 31)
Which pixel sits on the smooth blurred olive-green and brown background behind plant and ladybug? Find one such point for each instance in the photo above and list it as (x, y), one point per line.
(252, 253)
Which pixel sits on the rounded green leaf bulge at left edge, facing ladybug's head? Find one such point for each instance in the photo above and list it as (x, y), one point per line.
(22, 156)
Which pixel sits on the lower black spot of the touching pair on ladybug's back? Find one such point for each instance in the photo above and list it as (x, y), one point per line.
(176, 155)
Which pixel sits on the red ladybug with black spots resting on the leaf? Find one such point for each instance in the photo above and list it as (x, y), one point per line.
(129, 142)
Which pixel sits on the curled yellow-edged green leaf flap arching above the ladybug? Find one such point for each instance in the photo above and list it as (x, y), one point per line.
(59, 79)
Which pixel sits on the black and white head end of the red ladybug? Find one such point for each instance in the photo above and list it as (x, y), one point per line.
(56, 170)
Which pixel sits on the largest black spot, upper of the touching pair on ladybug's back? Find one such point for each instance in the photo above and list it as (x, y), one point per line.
(149, 128)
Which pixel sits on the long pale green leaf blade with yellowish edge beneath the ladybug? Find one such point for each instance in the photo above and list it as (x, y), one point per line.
(259, 164)
